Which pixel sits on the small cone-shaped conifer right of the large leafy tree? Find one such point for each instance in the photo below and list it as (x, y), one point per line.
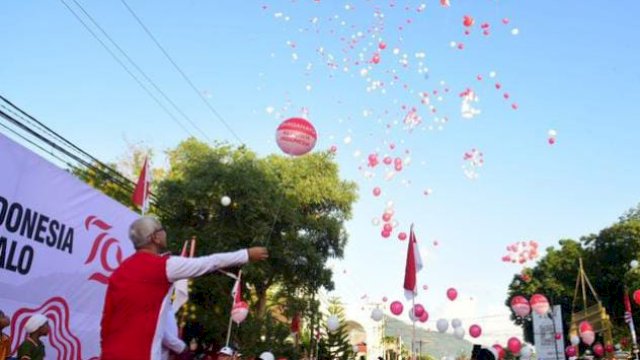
(336, 344)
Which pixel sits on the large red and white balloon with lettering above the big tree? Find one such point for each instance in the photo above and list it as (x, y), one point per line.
(296, 136)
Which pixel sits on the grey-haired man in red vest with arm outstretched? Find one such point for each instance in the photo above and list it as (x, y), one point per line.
(134, 318)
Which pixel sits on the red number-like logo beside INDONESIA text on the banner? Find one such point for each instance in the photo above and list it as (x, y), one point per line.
(101, 246)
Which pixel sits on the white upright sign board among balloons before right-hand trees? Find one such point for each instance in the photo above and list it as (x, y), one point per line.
(548, 335)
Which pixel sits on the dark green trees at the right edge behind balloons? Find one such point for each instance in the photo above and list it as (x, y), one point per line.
(606, 257)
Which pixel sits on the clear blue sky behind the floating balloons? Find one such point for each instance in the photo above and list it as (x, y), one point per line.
(572, 68)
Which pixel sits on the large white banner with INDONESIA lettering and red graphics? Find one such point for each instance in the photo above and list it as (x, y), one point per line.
(59, 241)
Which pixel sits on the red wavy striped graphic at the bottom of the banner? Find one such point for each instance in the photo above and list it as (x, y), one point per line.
(62, 340)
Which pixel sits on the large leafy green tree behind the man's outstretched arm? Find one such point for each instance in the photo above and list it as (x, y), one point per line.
(295, 206)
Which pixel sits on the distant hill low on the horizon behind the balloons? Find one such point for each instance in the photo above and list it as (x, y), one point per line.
(434, 343)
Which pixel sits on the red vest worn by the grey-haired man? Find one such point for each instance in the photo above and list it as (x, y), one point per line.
(132, 307)
